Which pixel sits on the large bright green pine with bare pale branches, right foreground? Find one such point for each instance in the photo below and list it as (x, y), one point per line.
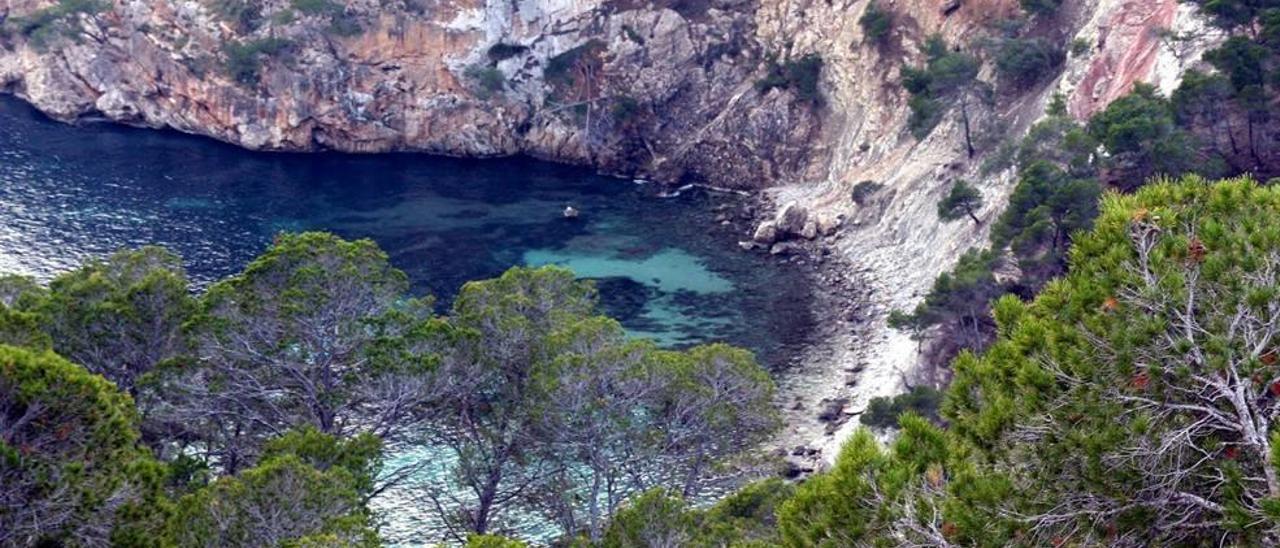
(1136, 346)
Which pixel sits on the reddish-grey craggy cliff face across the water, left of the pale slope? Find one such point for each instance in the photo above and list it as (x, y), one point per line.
(662, 90)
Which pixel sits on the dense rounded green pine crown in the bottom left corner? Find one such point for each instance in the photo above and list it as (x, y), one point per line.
(70, 468)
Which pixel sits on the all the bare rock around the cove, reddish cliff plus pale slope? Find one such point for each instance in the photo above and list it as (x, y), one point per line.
(674, 90)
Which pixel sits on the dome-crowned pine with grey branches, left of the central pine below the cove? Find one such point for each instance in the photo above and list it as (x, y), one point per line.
(298, 340)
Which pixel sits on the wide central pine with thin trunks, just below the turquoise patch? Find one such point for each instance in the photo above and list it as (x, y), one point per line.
(554, 386)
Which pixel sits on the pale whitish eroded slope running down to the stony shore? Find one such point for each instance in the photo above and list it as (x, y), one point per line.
(894, 239)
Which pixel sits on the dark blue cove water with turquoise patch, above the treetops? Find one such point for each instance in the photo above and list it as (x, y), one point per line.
(68, 194)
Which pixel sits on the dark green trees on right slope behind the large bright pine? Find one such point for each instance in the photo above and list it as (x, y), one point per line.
(1212, 126)
